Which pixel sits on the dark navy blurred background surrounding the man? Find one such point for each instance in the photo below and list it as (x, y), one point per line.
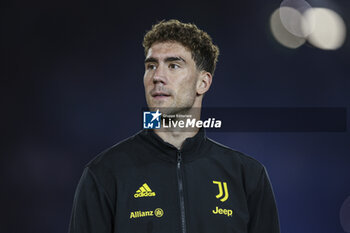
(71, 86)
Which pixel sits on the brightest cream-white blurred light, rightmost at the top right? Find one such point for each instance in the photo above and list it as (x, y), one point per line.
(328, 30)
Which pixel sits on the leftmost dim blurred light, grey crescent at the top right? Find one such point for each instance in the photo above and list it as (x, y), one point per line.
(281, 34)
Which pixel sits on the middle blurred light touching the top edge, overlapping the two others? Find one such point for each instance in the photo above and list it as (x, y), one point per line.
(292, 18)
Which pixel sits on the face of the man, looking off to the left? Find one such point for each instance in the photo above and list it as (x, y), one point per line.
(170, 77)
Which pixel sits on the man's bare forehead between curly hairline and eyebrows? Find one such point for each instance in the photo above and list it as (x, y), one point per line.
(165, 49)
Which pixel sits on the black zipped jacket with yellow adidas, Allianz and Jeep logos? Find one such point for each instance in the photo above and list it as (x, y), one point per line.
(144, 185)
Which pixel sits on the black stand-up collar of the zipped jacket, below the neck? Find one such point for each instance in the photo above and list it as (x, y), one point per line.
(191, 149)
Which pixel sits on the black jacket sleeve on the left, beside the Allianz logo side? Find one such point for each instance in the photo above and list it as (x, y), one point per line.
(92, 209)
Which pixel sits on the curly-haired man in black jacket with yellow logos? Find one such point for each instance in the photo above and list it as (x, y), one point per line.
(174, 180)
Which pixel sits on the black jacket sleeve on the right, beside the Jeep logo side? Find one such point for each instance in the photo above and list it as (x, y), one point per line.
(262, 208)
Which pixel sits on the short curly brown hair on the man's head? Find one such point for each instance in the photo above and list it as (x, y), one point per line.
(204, 52)
